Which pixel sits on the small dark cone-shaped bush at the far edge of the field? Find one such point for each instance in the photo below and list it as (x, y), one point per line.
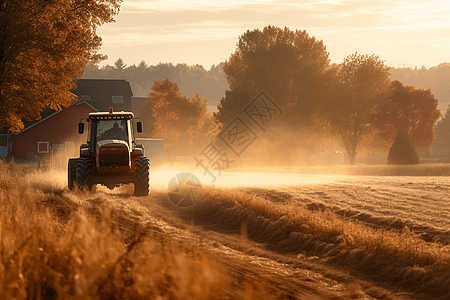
(402, 152)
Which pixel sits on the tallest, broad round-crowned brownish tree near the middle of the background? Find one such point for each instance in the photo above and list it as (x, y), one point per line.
(290, 66)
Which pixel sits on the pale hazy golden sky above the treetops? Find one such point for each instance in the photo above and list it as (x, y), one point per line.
(410, 32)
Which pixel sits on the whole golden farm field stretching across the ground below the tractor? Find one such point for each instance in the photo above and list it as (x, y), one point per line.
(352, 233)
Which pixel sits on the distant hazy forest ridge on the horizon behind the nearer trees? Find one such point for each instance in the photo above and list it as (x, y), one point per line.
(212, 83)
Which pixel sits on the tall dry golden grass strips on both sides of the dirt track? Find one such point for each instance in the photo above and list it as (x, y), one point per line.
(54, 245)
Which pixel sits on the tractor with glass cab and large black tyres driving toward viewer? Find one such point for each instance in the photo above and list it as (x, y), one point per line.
(111, 156)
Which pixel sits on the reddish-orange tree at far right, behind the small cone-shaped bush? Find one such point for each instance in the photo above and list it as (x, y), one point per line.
(410, 111)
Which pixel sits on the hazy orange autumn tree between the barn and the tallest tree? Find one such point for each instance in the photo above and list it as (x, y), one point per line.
(185, 124)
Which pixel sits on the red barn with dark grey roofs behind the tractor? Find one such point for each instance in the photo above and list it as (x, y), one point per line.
(55, 135)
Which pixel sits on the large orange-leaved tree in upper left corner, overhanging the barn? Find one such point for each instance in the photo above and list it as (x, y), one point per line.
(44, 47)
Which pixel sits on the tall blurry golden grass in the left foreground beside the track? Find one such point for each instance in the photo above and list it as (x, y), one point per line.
(50, 248)
